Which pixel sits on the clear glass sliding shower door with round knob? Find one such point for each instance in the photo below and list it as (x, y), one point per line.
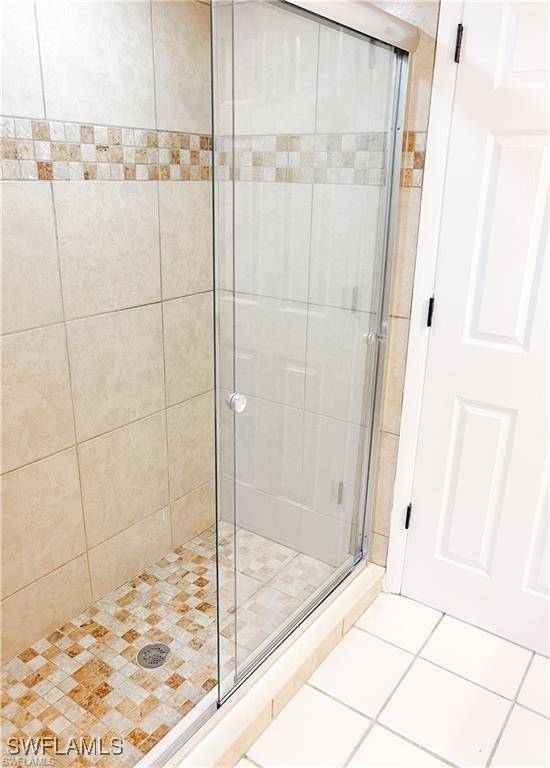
(305, 127)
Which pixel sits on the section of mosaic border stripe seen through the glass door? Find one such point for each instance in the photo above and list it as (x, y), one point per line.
(335, 158)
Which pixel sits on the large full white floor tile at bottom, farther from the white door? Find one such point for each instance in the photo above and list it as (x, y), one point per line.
(447, 715)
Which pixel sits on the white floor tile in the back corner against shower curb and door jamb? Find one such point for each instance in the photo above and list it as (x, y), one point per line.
(399, 620)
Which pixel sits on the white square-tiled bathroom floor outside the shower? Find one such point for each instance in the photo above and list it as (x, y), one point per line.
(408, 686)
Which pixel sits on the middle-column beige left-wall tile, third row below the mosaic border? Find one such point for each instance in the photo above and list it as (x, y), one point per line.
(124, 477)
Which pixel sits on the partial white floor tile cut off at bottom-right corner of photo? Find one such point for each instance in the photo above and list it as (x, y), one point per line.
(525, 742)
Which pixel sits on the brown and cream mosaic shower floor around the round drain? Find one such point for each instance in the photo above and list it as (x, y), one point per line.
(83, 680)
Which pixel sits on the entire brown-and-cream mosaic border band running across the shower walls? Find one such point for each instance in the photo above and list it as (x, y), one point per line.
(66, 151)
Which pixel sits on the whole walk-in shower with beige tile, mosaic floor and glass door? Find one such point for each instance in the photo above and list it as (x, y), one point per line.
(133, 602)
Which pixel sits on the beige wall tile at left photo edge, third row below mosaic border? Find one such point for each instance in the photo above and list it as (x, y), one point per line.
(42, 525)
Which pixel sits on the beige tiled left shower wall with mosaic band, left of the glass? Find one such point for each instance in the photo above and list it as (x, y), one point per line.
(106, 300)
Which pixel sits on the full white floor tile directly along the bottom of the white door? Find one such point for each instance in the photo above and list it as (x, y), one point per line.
(483, 658)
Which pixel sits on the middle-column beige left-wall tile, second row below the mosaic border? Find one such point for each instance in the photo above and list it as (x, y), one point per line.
(116, 368)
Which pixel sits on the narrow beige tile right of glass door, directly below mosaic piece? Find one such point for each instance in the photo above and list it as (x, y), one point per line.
(405, 251)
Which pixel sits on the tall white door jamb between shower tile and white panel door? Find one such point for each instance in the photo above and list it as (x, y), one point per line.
(442, 101)
